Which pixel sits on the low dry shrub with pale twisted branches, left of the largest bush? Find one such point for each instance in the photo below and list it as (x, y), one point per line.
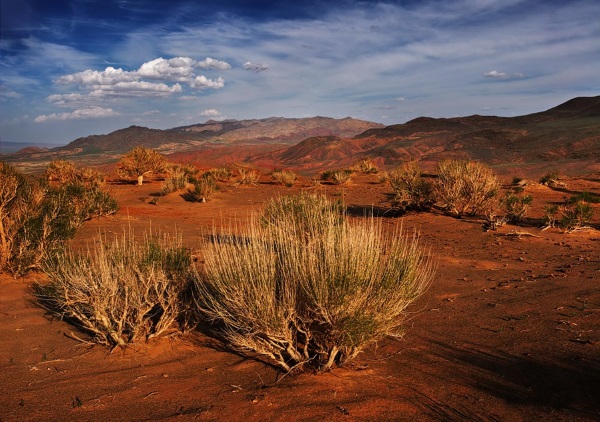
(120, 291)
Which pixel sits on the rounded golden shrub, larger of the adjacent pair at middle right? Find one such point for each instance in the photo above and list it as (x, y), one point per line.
(465, 187)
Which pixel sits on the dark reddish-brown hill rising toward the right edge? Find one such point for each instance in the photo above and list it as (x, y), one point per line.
(570, 131)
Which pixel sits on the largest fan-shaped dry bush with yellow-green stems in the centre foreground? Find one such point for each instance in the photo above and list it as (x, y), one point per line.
(310, 299)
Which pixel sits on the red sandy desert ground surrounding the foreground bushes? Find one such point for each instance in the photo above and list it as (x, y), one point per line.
(508, 331)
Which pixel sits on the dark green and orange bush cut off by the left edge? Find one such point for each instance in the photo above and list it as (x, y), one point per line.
(37, 218)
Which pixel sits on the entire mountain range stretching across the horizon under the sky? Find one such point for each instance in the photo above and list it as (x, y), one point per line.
(566, 136)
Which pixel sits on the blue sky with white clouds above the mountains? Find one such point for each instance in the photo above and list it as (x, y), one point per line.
(74, 68)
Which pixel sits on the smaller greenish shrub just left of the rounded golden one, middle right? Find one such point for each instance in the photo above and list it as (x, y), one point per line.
(411, 191)
